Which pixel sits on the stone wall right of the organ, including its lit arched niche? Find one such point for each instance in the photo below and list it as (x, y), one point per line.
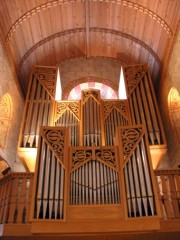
(169, 100)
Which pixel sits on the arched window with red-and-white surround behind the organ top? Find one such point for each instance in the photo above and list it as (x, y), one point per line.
(108, 89)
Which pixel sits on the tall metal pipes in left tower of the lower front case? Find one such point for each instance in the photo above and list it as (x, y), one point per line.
(50, 185)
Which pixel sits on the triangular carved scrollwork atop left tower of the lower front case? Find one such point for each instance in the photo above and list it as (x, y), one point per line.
(56, 141)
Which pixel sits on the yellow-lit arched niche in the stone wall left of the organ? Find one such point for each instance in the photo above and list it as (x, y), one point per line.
(5, 118)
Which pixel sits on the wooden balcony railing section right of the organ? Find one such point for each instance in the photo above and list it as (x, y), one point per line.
(168, 181)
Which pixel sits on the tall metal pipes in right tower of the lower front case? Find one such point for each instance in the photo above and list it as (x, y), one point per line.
(139, 191)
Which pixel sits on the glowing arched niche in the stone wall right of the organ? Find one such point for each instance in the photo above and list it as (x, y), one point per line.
(174, 110)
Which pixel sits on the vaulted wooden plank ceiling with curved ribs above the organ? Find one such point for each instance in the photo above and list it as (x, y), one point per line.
(46, 32)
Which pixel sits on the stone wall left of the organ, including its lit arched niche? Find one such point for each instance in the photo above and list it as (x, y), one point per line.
(11, 108)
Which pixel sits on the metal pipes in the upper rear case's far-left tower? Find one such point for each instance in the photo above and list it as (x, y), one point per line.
(38, 113)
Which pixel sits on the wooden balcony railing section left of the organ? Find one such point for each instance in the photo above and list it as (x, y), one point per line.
(15, 197)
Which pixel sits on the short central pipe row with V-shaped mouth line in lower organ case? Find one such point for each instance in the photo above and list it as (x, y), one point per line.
(94, 183)
